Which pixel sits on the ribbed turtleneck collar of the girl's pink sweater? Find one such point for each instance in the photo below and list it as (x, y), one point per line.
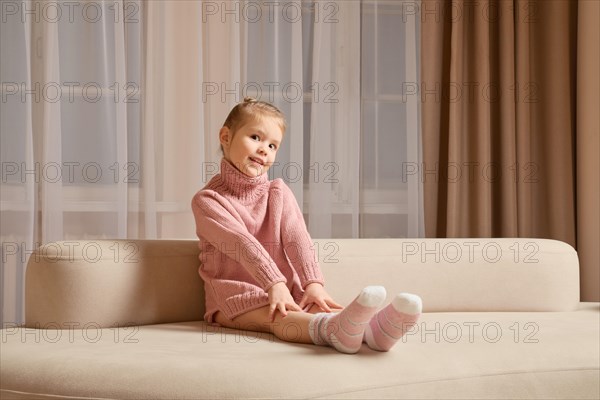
(241, 185)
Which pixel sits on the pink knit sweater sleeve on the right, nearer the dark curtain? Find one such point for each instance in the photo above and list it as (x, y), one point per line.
(297, 242)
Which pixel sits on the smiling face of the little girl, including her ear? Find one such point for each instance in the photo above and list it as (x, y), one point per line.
(253, 147)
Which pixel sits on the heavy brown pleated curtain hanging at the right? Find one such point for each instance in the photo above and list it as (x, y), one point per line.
(509, 150)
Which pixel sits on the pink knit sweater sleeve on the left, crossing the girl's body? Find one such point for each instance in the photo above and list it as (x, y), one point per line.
(215, 223)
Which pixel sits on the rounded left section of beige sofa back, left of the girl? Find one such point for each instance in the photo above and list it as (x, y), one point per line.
(103, 283)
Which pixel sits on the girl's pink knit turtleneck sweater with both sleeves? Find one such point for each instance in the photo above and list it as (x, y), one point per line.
(252, 235)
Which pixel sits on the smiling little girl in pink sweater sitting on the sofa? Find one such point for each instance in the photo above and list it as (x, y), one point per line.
(257, 262)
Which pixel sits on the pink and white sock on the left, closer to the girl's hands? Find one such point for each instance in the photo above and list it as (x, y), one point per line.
(345, 330)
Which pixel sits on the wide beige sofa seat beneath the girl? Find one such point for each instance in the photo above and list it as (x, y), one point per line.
(447, 355)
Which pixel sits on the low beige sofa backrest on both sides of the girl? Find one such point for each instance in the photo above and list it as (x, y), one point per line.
(104, 283)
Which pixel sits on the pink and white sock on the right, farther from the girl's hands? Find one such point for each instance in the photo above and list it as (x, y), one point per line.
(391, 323)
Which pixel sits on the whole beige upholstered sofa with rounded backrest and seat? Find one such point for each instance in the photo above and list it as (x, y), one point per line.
(122, 319)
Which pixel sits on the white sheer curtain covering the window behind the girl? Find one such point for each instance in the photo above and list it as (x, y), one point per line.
(110, 114)
